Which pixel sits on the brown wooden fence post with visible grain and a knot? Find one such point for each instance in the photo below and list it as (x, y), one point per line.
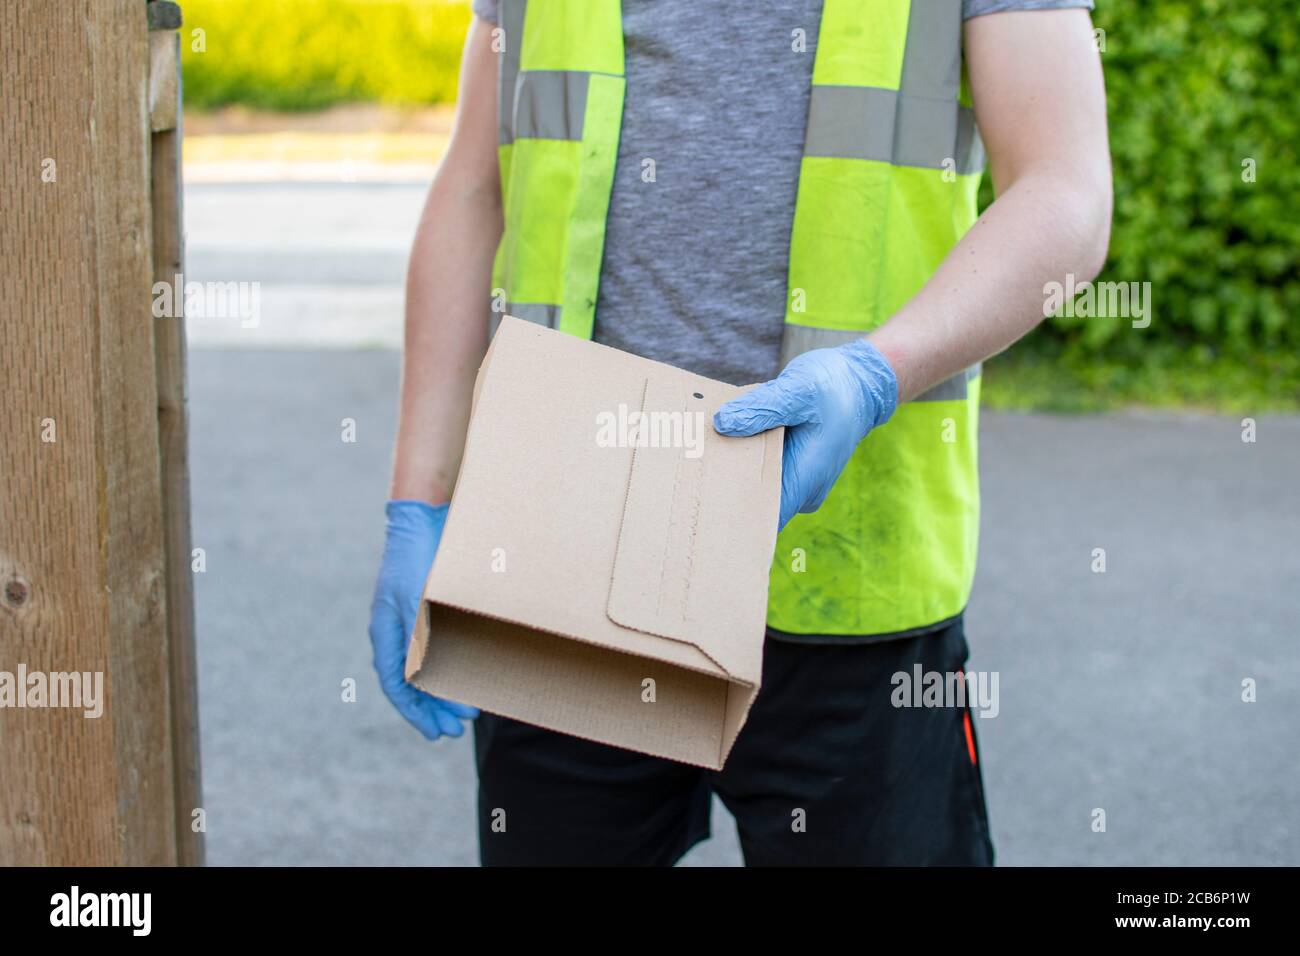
(86, 555)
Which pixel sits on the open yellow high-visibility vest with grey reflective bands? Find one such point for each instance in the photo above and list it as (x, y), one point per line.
(889, 183)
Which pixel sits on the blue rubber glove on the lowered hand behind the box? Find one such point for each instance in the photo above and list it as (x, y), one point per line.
(414, 531)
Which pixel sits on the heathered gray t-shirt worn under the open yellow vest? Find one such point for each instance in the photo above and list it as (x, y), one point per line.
(696, 258)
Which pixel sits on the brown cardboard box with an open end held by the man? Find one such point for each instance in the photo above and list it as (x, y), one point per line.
(604, 568)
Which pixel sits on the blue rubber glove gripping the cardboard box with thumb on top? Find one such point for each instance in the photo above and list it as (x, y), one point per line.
(829, 401)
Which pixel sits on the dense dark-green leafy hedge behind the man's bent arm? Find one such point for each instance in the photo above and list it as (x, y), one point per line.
(1195, 89)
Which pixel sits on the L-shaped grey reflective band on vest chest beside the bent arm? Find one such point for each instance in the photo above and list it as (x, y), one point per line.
(918, 126)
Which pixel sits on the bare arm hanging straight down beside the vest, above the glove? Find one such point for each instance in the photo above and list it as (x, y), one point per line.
(449, 283)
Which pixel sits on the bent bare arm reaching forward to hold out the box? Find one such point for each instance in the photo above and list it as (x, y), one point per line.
(1041, 103)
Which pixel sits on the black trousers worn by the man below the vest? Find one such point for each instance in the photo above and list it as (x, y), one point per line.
(826, 772)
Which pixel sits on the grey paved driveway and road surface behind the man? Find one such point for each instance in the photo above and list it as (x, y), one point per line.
(1119, 691)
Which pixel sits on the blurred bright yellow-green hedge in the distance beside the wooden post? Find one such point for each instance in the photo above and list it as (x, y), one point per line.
(313, 54)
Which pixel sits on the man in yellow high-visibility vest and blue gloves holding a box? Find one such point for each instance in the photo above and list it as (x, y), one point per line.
(785, 194)
